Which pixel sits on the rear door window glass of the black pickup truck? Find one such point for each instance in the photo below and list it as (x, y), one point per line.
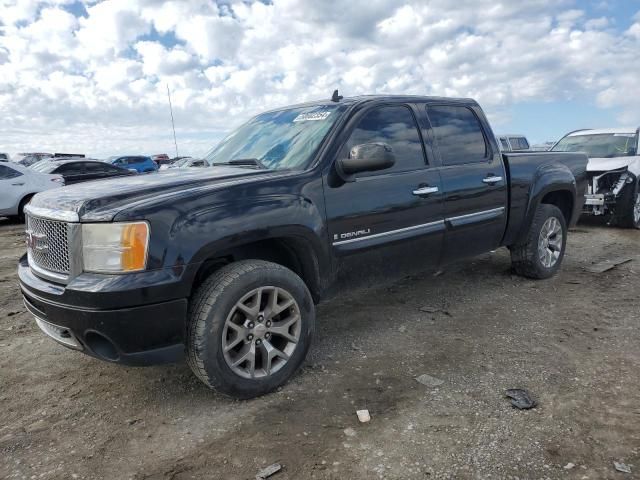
(458, 134)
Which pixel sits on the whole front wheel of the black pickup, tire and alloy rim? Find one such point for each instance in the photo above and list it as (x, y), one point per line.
(235, 308)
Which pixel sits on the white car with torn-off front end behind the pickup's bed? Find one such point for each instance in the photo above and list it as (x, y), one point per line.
(613, 170)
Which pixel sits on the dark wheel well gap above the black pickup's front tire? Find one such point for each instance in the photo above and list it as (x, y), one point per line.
(290, 252)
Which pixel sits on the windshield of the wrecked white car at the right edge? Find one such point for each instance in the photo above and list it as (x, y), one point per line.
(606, 145)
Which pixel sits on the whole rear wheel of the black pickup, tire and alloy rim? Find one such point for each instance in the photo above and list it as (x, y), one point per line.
(540, 255)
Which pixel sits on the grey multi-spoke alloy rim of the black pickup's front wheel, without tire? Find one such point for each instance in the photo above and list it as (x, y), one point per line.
(261, 332)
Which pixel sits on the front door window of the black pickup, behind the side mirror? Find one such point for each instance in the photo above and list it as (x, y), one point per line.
(395, 127)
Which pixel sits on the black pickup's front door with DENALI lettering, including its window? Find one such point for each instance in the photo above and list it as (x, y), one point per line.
(387, 222)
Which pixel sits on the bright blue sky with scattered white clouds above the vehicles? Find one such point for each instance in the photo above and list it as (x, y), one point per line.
(91, 76)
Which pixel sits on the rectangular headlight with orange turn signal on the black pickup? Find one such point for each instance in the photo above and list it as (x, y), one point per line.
(115, 247)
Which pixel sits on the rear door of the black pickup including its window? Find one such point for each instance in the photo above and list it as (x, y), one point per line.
(474, 181)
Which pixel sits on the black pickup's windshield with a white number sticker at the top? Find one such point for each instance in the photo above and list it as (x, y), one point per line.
(285, 139)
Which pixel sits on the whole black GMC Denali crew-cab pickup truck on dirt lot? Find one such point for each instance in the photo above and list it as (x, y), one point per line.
(225, 264)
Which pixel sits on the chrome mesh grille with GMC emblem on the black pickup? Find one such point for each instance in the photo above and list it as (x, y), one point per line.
(48, 244)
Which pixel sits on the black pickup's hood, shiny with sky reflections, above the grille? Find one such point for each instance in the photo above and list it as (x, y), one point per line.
(102, 200)
